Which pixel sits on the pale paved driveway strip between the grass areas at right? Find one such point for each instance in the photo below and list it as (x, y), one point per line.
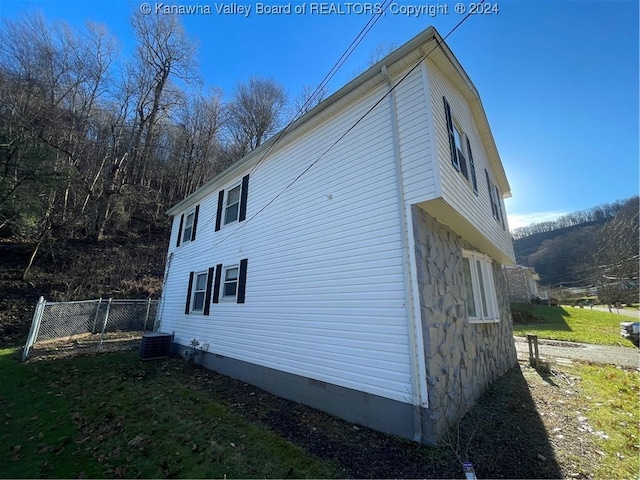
(623, 356)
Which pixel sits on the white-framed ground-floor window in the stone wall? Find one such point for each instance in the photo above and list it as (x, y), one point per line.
(482, 305)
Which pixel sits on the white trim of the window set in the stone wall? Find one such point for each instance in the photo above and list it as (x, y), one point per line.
(493, 313)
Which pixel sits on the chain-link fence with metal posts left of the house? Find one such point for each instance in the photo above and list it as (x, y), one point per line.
(89, 325)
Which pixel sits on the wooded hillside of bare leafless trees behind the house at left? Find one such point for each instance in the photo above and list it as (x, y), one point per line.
(95, 147)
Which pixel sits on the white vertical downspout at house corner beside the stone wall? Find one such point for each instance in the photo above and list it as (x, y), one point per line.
(416, 352)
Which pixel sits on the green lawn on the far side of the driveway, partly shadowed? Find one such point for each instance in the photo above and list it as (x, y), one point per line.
(572, 324)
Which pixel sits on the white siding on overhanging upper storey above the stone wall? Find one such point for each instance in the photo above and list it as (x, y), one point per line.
(456, 190)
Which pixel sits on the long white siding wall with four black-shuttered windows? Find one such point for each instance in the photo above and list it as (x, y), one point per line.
(324, 295)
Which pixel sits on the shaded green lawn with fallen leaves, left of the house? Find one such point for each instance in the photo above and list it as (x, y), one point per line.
(115, 416)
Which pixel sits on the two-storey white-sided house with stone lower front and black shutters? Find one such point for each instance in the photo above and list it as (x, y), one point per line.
(354, 263)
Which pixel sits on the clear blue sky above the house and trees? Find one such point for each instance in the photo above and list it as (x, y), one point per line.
(558, 79)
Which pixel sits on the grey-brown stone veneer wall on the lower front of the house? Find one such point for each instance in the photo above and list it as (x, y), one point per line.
(461, 358)
